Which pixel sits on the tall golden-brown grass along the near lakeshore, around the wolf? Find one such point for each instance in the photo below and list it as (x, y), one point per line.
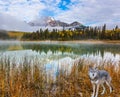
(28, 80)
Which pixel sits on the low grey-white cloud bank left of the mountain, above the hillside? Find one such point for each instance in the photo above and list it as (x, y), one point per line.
(8, 22)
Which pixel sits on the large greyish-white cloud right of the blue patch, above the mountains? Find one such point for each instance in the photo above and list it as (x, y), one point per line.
(92, 12)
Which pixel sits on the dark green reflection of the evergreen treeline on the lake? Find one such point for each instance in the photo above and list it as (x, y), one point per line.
(76, 49)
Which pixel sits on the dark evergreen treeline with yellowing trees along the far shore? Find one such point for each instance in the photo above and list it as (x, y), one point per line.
(77, 34)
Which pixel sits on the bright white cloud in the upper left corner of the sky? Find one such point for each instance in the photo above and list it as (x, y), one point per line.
(22, 9)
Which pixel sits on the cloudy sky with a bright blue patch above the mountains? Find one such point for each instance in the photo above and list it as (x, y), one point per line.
(87, 12)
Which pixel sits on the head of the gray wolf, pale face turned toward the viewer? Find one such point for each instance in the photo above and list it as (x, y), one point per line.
(93, 73)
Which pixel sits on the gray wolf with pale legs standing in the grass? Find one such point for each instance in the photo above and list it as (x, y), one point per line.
(97, 78)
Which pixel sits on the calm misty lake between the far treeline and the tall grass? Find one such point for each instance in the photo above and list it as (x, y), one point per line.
(54, 54)
